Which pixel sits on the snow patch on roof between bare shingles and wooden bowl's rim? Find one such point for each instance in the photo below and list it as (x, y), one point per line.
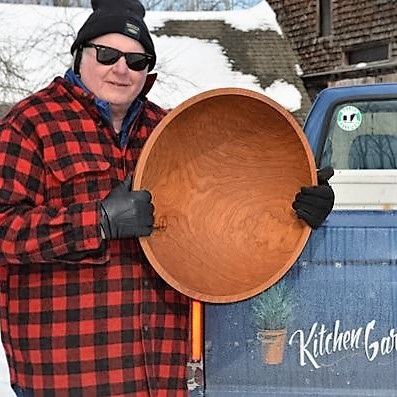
(176, 82)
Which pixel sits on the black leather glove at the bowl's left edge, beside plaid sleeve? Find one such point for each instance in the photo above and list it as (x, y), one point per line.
(126, 213)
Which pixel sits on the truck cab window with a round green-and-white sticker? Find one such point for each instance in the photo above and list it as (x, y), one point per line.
(362, 135)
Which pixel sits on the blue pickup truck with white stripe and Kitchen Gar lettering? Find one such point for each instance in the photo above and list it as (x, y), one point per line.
(337, 305)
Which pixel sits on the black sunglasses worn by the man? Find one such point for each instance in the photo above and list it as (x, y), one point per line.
(109, 56)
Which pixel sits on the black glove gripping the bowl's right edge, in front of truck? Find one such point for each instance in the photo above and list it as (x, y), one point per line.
(313, 204)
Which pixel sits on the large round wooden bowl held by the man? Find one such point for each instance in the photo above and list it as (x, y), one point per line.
(223, 169)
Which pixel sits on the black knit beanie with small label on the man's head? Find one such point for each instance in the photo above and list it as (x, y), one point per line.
(115, 16)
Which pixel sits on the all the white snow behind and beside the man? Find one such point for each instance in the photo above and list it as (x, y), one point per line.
(185, 66)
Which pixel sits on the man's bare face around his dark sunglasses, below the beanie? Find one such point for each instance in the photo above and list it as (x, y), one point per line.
(115, 83)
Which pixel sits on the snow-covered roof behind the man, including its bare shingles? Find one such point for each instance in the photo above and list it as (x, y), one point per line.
(196, 51)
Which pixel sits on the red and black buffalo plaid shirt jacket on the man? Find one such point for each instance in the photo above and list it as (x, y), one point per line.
(79, 316)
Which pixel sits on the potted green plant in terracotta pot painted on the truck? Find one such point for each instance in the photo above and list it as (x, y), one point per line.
(272, 310)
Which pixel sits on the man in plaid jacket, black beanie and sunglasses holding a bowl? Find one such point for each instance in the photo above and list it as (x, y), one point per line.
(82, 311)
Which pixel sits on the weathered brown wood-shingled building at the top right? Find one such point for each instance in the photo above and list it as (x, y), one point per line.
(341, 42)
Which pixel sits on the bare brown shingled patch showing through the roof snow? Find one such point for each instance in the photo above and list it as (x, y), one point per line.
(262, 53)
